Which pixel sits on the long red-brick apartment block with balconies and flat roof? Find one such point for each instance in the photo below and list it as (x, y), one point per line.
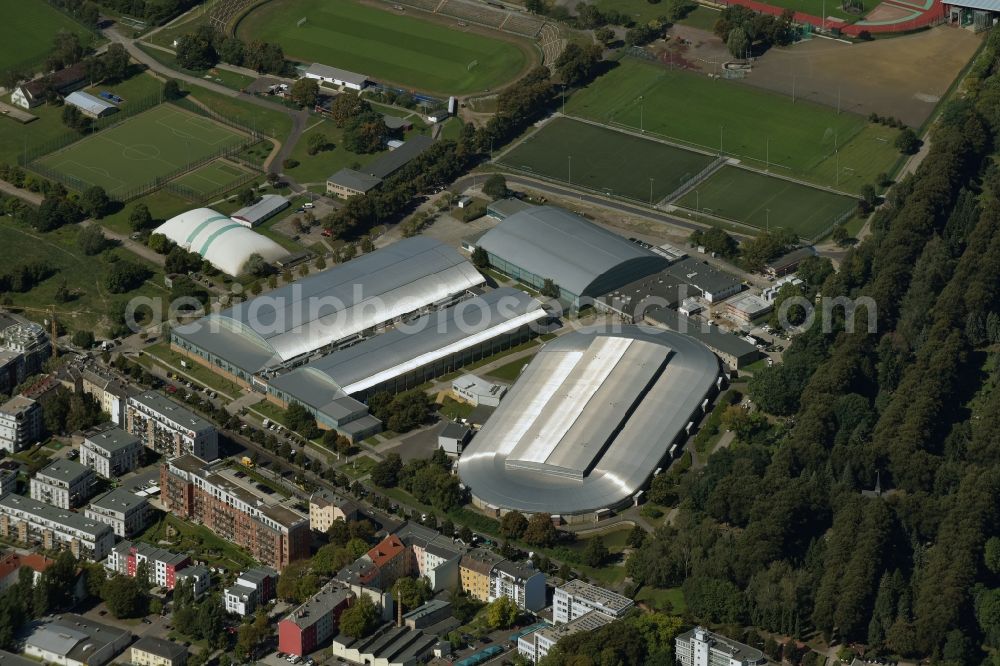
(232, 507)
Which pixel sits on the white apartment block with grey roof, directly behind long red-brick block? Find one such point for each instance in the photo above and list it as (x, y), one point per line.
(168, 428)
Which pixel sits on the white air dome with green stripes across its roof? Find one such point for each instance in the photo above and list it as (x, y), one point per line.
(218, 239)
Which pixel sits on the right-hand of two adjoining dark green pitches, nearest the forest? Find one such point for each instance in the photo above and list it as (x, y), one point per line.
(760, 201)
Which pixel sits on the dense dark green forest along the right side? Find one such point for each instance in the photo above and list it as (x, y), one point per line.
(776, 531)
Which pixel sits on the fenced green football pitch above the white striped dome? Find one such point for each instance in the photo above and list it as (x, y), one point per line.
(153, 144)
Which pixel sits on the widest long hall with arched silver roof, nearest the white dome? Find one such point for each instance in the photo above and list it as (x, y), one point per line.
(335, 308)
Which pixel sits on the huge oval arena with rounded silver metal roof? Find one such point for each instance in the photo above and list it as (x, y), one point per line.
(588, 421)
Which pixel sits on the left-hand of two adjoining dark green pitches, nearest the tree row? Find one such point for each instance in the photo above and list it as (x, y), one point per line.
(606, 160)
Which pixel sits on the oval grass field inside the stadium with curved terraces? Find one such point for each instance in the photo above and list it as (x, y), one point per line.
(388, 45)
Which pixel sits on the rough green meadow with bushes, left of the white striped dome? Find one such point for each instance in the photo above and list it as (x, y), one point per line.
(84, 276)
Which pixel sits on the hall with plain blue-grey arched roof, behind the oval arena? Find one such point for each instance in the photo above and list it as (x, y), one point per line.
(582, 259)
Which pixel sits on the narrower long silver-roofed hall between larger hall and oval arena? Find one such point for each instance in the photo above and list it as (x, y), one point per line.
(409, 355)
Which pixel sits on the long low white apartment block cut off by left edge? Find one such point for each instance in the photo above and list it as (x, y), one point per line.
(29, 521)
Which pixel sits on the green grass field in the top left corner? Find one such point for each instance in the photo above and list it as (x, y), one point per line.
(28, 29)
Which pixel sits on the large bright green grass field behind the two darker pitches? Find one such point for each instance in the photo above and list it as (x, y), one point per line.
(765, 129)
